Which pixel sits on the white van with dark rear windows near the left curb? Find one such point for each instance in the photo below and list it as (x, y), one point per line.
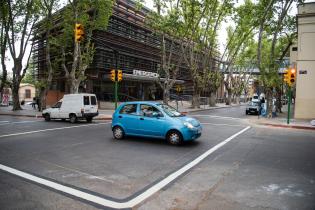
(73, 107)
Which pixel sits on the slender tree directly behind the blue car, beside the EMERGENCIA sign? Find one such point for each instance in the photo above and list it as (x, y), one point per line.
(169, 29)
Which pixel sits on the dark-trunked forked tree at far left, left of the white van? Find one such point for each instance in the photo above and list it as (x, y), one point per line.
(19, 21)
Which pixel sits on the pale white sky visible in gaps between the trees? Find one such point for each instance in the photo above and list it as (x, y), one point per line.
(222, 36)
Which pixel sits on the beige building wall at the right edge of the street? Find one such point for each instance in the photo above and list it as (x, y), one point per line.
(305, 85)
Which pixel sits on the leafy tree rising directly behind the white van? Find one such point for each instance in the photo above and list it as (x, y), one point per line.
(76, 56)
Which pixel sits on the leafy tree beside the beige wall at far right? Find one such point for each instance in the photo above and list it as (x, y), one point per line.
(272, 26)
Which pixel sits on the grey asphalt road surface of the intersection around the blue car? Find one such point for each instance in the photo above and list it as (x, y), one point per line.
(259, 168)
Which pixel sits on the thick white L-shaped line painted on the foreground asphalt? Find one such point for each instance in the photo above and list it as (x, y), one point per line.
(114, 204)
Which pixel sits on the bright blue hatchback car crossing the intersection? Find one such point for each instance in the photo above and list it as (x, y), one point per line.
(154, 119)
